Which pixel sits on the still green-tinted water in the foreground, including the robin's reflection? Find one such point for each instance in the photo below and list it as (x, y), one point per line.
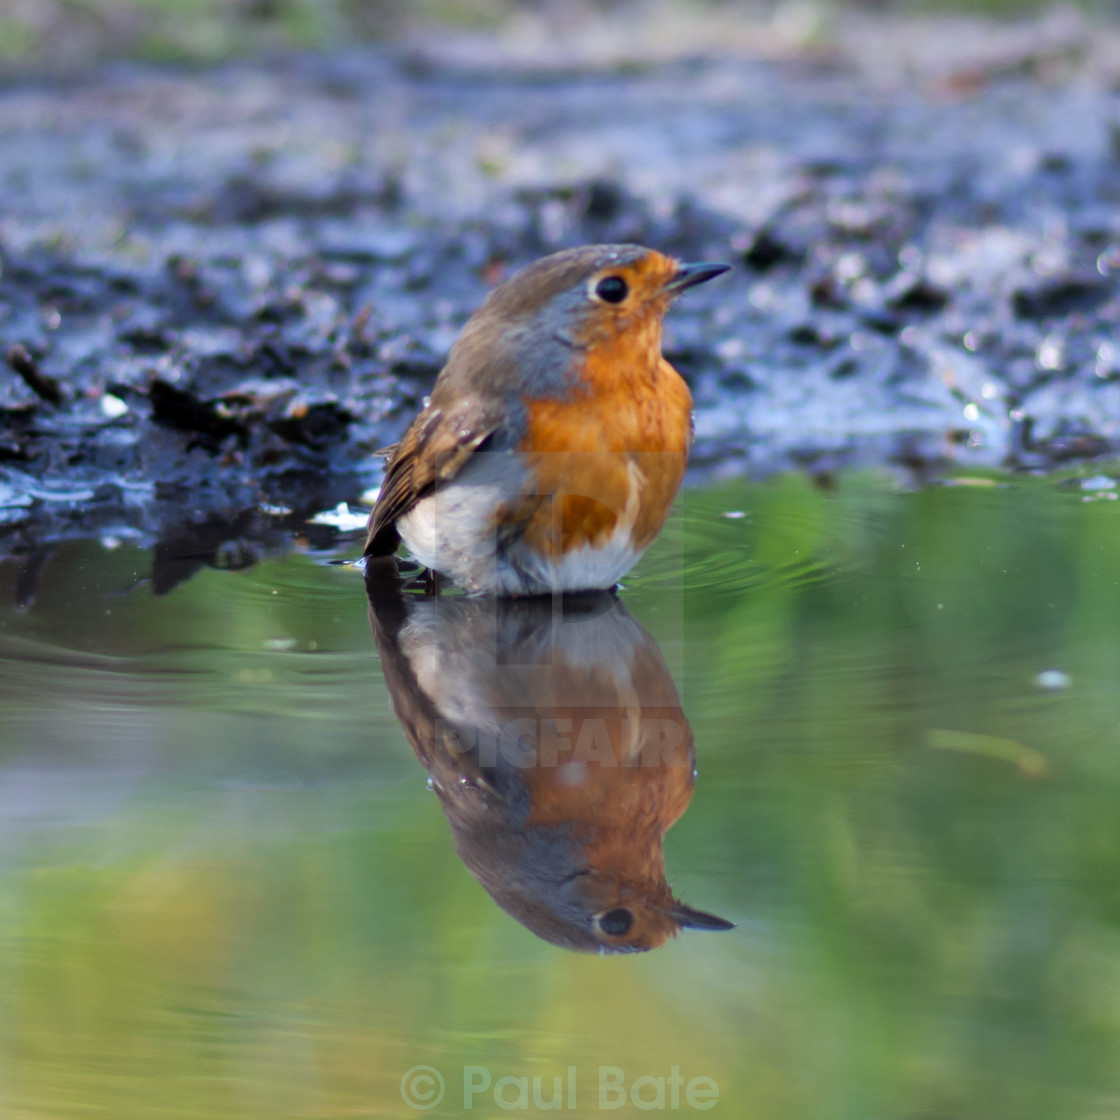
(229, 888)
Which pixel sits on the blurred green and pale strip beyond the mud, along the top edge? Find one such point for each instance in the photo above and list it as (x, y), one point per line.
(76, 33)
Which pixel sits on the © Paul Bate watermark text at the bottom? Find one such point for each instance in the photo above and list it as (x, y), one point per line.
(423, 1088)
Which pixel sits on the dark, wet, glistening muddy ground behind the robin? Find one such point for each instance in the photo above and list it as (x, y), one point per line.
(222, 290)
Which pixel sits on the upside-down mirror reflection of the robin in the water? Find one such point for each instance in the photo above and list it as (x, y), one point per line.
(558, 748)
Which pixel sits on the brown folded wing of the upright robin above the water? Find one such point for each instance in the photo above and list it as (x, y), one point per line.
(436, 449)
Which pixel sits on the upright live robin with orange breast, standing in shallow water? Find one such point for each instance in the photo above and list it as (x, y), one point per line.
(558, 377)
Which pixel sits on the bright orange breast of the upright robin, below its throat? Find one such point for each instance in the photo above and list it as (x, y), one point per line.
(611, 460)
